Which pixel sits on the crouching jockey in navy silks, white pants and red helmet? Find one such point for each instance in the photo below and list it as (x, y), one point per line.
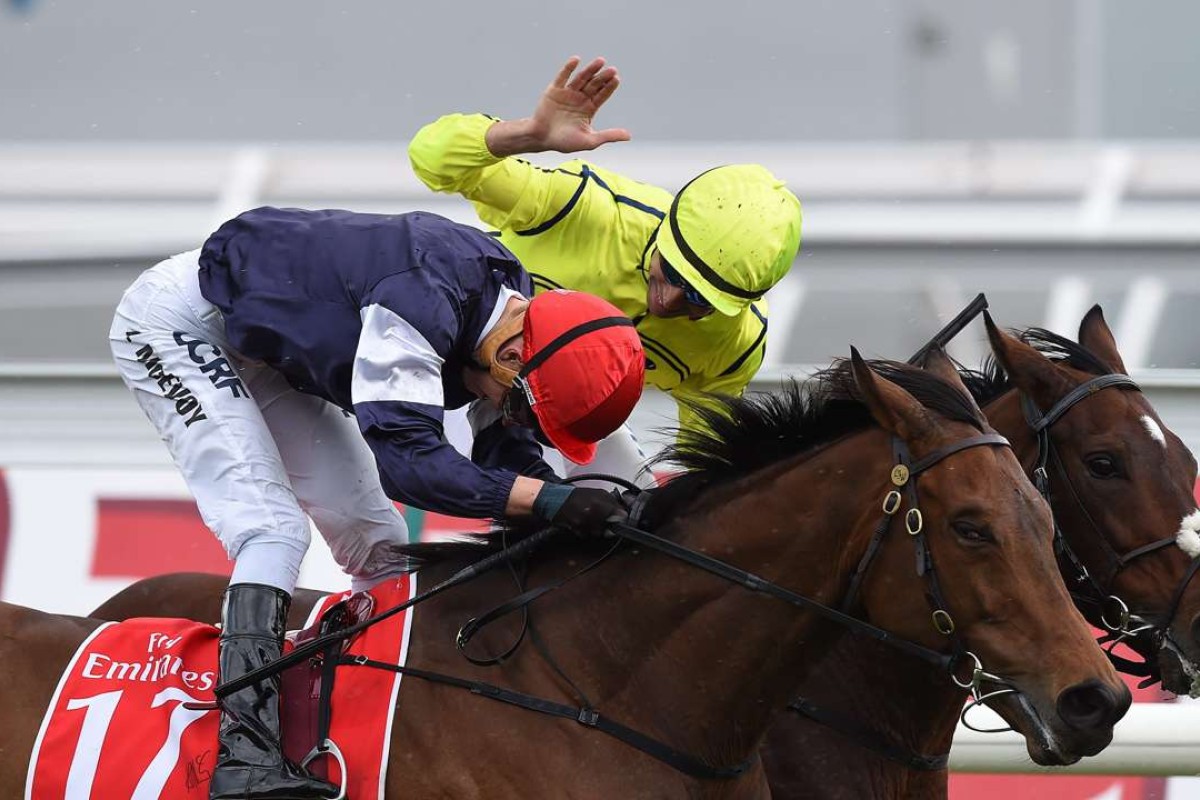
(299, 366)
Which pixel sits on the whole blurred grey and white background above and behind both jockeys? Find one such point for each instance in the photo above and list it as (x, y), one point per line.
(1046, 153)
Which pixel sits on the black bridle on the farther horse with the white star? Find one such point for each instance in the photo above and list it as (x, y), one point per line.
(1115, 616)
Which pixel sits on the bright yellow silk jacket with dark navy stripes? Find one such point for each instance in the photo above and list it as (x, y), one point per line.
(583, 227)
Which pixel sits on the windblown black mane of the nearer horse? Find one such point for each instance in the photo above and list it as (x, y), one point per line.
(737, 437)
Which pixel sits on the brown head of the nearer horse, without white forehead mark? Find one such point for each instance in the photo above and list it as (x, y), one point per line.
(987, 586)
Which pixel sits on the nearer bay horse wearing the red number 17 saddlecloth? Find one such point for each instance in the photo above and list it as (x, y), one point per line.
(789, 489)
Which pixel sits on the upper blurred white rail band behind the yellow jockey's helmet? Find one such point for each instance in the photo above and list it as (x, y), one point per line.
(145, 199)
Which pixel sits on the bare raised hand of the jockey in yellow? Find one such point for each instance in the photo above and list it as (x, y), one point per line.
(563, 118)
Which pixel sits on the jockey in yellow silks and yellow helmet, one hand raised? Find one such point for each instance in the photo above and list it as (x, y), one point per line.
(691, 270)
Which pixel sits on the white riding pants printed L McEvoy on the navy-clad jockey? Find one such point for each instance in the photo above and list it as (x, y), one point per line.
(257, 455)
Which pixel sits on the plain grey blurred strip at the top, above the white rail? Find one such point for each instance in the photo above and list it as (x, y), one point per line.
(763, 70)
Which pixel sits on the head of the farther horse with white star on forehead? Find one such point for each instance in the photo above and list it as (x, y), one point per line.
(1124, 489)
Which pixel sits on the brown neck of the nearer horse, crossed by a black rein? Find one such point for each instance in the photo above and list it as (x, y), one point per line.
(704, 663)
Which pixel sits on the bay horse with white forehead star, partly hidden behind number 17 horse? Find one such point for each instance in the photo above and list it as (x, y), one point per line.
(1121, 490)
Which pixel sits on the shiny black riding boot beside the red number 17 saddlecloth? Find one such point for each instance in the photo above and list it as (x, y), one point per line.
(250, 757)
